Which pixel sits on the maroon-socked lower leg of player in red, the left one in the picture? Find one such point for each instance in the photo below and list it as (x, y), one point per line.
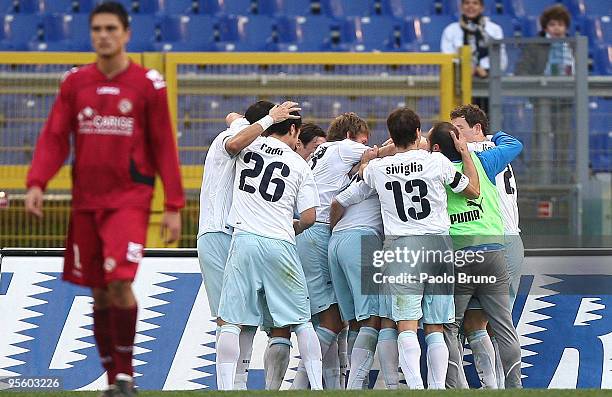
(103, 335)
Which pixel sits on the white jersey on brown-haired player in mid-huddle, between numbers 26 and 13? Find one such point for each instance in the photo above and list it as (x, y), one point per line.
(330, 165)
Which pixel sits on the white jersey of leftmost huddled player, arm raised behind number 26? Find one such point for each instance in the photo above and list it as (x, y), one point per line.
(218, 183)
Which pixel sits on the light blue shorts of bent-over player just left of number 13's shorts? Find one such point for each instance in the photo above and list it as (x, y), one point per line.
(347, 258)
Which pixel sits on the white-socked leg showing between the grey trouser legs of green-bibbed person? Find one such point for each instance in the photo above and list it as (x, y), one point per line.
(475, 325)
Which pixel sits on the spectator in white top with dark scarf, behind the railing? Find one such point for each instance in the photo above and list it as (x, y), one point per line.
(475, 30)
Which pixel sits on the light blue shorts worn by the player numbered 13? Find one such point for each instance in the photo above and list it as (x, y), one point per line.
(430, 302)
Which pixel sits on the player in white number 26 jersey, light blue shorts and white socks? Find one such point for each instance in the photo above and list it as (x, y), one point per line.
(272, 181)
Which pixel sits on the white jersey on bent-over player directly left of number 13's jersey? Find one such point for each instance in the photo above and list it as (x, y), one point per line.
(362, 208)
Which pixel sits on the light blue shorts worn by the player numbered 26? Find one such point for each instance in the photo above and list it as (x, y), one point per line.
(258, 266)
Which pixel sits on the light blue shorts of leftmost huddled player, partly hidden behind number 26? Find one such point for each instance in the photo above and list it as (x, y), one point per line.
(213, 248)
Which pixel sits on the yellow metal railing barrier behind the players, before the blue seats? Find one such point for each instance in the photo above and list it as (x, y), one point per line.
(203, 88)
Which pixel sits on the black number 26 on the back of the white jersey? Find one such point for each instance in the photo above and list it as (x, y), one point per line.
(266, 179)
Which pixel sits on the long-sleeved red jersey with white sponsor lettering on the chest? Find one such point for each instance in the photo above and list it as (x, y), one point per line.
(122, 137)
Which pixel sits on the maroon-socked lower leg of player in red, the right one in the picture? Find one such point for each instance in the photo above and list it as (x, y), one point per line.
(123, 315)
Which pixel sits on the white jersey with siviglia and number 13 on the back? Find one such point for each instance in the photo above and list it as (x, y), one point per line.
(412, 193)
